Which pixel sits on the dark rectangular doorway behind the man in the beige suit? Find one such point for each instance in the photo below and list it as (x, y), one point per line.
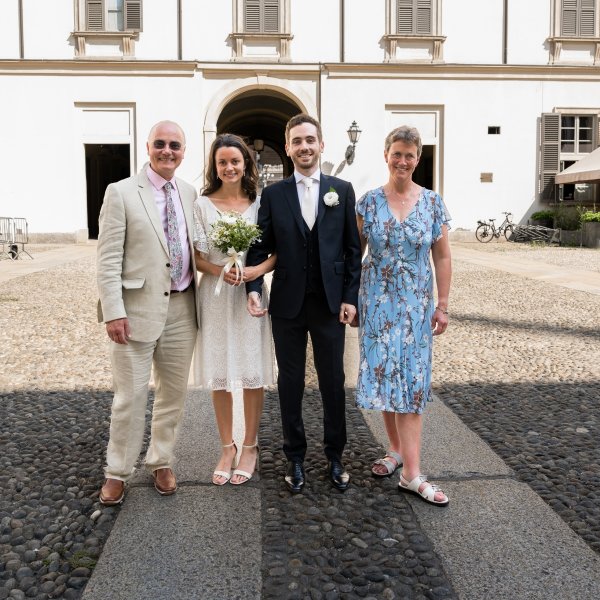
(104, 164)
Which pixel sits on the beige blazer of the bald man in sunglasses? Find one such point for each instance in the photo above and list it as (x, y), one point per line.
(132, 259)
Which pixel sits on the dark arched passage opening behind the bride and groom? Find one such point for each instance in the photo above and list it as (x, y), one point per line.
(259, 116)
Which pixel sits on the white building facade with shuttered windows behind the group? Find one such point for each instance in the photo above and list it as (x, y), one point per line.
(505, 93)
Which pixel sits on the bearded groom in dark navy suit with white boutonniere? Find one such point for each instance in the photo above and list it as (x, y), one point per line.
(309, 222)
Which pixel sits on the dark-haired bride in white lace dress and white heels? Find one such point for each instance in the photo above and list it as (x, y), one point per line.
(234, 349)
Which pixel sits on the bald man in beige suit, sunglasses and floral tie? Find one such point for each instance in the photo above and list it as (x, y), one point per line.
(146, 280)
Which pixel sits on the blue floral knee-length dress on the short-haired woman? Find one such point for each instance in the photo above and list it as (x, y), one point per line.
(396, 303)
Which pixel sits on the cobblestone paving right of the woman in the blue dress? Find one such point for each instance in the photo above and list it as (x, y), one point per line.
(520, 364)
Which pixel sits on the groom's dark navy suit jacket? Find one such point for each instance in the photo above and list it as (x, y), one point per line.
(284, 232)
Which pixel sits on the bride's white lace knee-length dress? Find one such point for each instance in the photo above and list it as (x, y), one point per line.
(234, 350)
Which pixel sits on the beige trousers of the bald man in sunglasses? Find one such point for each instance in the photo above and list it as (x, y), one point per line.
(132, 363)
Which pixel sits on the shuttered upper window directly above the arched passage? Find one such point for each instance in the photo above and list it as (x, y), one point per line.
(261, 30)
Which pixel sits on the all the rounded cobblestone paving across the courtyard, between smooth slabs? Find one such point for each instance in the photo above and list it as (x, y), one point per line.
(519, 364)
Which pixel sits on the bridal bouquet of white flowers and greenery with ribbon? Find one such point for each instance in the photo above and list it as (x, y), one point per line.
(233, 235)
